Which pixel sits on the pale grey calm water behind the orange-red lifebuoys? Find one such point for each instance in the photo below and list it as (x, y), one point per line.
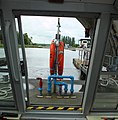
(38, 62)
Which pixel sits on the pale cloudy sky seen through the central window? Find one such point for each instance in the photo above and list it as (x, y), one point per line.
(43, 29)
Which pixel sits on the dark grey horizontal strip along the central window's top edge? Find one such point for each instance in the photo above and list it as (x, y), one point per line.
(55, 13)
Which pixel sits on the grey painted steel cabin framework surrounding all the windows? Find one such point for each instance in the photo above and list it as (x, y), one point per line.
(104, 11)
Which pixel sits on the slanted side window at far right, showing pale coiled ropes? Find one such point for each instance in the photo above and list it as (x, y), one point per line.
(107, 89)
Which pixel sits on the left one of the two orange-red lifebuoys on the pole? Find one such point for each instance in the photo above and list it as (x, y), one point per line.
(52, 57)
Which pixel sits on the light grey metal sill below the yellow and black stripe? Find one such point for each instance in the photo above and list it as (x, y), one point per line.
(53, 116)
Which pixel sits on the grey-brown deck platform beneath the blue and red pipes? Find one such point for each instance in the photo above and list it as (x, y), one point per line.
(55, 99)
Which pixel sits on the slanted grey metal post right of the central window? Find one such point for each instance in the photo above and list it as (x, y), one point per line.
(100, 39)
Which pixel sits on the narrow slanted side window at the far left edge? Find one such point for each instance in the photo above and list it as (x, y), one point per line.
(6, 95)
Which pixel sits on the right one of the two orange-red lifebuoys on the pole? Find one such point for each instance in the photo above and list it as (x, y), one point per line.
(60, 58)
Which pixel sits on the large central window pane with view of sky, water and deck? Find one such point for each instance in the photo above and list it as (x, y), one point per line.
(38, 57)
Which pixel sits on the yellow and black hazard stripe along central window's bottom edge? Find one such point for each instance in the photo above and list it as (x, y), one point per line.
(53, 108)
